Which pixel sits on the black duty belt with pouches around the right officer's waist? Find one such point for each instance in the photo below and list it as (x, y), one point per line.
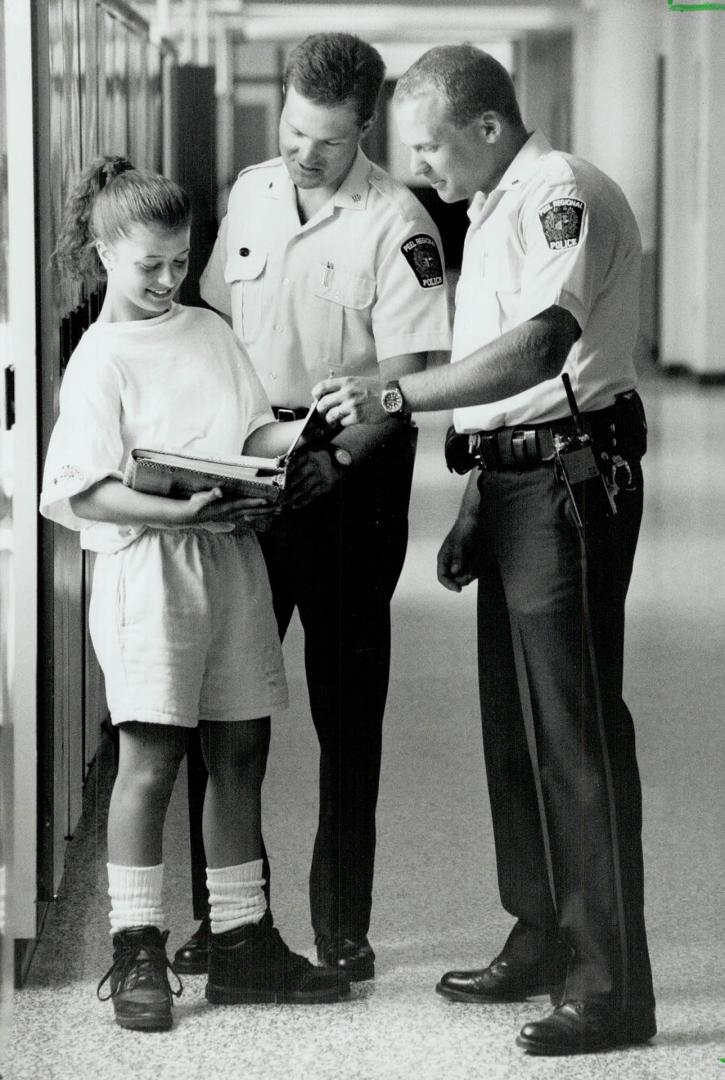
(620, 428)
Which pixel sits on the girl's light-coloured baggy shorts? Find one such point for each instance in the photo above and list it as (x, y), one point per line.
(183, 626)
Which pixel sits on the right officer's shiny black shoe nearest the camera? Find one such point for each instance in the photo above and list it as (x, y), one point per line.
(579, 1028)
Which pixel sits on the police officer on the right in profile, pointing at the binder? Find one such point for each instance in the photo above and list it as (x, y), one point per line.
(549, 286)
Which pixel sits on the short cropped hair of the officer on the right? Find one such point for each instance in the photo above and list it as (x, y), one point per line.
(471, 80)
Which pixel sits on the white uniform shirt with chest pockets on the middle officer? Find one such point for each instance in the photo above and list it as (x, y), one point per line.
(360, 282)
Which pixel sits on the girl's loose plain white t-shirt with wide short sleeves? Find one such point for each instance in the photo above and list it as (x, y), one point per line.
(181, 382)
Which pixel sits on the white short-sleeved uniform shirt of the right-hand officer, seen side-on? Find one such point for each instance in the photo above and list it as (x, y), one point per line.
(555, 232)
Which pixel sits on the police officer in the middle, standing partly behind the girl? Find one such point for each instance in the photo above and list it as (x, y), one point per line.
(324, 262)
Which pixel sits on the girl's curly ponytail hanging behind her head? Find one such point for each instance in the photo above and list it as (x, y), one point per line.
(75, 256)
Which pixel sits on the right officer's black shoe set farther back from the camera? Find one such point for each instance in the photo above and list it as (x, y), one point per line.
(502, 982)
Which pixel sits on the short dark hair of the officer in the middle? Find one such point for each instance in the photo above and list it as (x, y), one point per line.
(337, 69)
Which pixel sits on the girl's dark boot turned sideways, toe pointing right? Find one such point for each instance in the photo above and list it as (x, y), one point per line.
(252, 965)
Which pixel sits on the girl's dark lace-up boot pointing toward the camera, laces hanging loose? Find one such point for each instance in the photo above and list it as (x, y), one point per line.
(138, 980)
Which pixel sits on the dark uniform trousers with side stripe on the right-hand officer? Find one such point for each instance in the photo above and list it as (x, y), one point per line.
(559, 740)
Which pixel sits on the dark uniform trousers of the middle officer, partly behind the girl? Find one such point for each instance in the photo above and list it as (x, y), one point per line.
(338, 561)
